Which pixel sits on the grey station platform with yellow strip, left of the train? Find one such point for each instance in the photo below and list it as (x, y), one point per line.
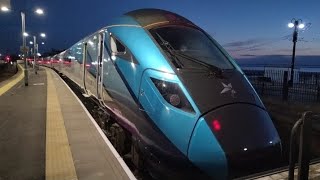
(46, 133)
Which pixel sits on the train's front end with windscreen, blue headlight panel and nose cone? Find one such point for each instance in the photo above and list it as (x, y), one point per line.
(206, 108)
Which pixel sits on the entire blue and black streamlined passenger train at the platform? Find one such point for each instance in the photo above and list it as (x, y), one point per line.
(176, 100)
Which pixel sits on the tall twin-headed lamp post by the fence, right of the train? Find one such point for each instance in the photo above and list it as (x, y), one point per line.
(296, 24)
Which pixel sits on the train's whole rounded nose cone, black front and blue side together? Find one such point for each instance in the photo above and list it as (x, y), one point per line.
(235, 140)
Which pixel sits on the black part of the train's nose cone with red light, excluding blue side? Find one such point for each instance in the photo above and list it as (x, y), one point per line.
(247, 136)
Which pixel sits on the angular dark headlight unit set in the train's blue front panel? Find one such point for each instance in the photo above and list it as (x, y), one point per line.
(173, 94)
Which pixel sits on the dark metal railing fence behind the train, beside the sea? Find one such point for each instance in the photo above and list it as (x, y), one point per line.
(273, 82)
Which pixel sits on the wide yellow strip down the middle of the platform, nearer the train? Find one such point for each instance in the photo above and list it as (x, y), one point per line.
(59, 162)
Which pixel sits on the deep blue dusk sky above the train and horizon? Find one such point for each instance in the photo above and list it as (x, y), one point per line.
(246, 28)
